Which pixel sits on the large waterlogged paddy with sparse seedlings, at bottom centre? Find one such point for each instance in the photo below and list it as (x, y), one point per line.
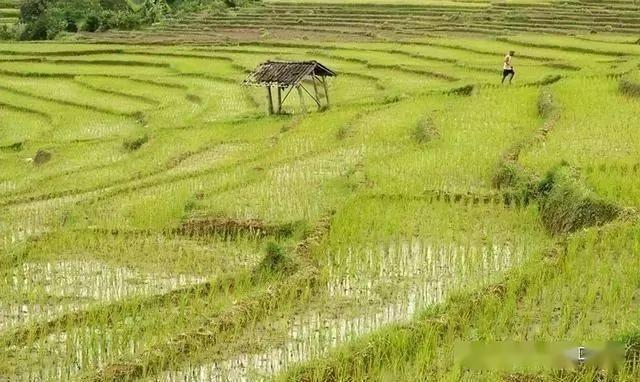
(418, 274)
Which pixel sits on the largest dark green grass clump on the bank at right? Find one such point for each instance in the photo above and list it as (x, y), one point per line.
(567, 205)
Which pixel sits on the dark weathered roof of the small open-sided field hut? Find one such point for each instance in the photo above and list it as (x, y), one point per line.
(286, 73)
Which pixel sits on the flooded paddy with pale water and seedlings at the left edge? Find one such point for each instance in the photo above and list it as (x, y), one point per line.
(73, 285)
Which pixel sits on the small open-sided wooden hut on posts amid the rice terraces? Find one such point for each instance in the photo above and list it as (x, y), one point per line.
(288, 75)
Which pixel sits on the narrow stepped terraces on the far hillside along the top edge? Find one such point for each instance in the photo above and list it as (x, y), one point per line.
(390, 20)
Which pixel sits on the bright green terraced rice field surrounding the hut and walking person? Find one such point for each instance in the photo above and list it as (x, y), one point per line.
(156, 225)
